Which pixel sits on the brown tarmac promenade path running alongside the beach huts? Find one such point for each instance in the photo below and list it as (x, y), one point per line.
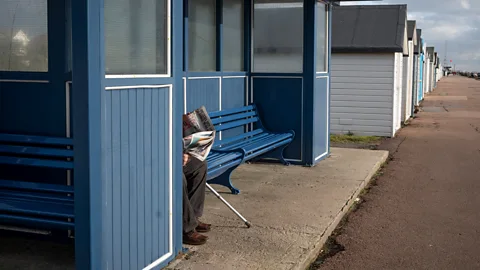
(424, 212)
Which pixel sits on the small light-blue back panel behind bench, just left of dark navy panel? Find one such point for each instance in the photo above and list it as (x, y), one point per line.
(233, 96)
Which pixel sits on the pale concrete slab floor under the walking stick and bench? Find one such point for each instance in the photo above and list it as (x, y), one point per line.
(292, 209)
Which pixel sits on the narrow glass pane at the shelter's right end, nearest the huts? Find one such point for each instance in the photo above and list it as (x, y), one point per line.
(322, 37)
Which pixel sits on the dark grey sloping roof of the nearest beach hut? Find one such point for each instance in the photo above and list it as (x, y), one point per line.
(377, 28)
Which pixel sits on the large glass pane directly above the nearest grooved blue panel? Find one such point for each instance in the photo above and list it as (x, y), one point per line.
(136, 37)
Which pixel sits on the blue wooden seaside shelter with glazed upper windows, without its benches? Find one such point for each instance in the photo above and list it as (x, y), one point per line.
(114, 77)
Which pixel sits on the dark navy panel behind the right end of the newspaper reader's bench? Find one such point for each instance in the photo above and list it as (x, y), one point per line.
(279, 102)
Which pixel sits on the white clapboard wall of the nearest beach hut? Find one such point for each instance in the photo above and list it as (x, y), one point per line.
(362, 94)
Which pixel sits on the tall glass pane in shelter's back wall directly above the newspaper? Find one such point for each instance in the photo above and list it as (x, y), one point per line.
(202, 34)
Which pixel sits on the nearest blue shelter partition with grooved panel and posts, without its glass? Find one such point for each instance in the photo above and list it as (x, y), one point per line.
(121, 126)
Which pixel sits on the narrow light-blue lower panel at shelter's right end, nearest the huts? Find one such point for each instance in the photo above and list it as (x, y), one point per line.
(320, 119)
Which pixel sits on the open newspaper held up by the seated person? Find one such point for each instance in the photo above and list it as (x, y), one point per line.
(198, 133)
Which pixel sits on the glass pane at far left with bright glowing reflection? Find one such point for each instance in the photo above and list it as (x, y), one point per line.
(23, 35)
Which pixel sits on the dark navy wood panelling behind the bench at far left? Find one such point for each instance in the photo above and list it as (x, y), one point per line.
(37, 109)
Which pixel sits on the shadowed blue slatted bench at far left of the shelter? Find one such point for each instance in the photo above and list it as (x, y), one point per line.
(36, 203)
